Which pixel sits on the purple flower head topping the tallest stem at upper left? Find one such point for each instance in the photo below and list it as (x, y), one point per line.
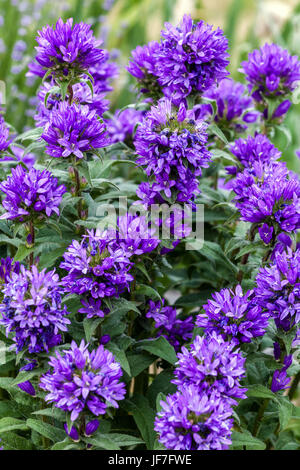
(68, 49)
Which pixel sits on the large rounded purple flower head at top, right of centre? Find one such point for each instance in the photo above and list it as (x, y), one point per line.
(191, 58)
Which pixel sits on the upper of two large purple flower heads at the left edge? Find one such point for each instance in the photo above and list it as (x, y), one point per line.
(31, 194)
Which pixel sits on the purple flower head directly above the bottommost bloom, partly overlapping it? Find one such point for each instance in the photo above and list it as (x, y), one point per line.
(212, 363)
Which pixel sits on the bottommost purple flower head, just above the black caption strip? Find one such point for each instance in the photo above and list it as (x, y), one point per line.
(191, 419)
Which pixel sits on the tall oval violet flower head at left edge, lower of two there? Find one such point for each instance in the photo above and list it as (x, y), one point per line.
(32, 311)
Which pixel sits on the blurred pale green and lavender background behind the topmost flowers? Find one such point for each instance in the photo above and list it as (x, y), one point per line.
(123, 24)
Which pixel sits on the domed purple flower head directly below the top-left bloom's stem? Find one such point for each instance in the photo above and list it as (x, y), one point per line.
(73, 131)
